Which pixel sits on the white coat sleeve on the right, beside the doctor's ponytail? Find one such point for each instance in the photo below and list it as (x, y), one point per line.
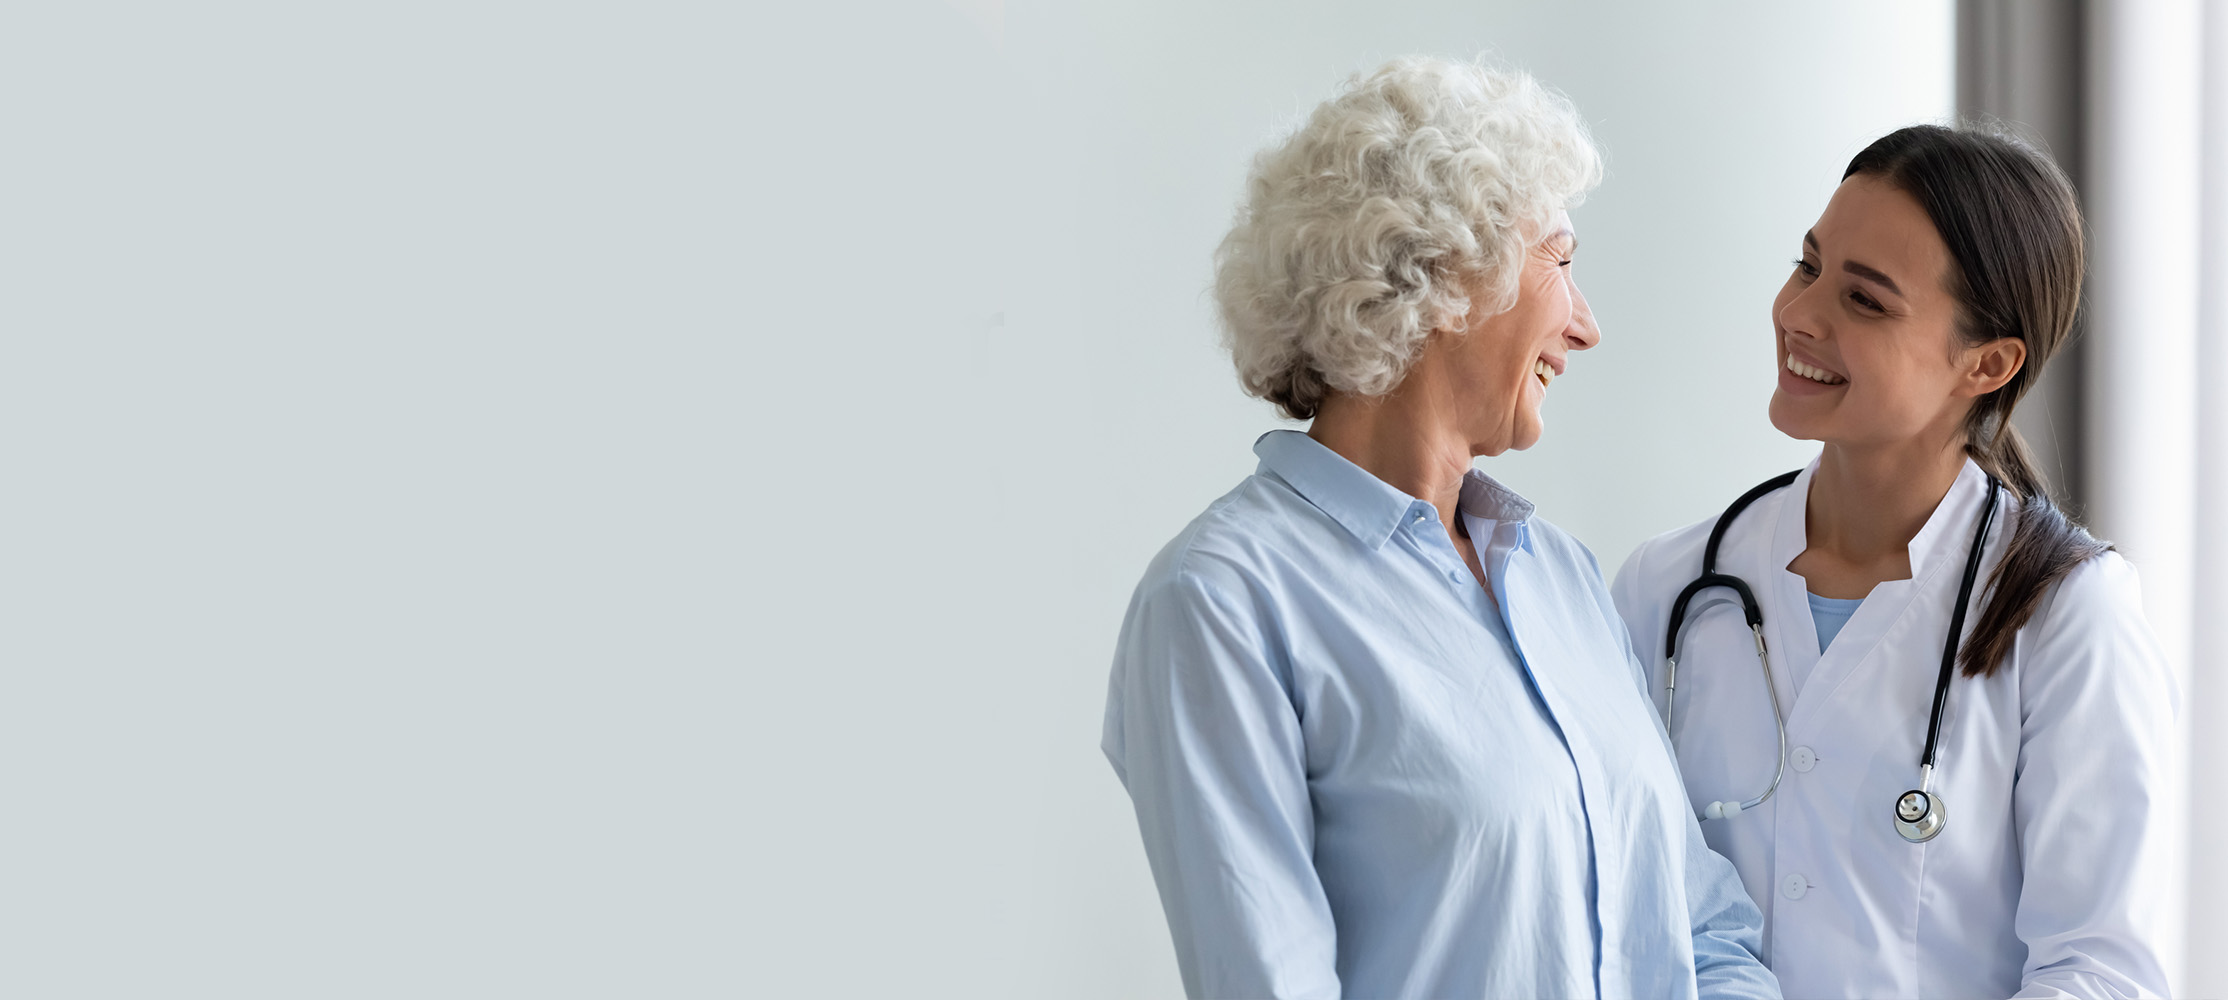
(2091, 796)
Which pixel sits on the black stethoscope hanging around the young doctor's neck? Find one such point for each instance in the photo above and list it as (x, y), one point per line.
(1919, 812)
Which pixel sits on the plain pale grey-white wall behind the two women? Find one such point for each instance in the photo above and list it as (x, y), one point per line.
(518, 500)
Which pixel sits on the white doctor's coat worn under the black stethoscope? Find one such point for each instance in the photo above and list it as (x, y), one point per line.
(2053, 772)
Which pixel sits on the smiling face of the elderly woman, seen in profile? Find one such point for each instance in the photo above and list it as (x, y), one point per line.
(1507, 362)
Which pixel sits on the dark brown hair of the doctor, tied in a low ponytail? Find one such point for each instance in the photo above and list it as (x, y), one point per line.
(2013, 226)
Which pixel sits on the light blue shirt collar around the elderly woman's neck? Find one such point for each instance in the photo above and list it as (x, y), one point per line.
(1367, 507)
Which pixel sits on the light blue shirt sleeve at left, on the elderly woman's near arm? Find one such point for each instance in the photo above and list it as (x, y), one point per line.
(1204, 734)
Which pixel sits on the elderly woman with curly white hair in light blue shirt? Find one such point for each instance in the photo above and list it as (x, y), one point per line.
(1380, 723)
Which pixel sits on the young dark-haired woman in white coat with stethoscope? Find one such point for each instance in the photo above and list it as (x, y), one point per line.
(2026, 856)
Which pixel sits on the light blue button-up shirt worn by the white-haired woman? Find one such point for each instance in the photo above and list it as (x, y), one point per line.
(1360, 776)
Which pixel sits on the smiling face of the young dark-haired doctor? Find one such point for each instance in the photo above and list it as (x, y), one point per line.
(1866, 326)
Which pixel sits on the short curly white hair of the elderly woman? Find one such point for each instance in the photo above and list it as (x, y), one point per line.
(1416, 188)
